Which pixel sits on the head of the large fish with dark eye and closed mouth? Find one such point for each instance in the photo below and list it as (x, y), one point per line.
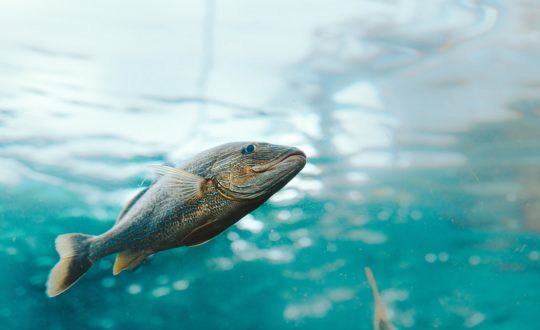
(252, 170)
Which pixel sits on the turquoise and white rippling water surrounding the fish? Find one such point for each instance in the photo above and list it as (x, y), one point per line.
(421, 121)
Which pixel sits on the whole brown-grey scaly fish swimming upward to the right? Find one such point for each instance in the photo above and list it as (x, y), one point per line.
(185, 206)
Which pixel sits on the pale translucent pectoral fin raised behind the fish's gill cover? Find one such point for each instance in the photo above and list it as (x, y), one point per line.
(188, 184)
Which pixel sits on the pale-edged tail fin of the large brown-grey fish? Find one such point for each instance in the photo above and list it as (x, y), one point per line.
(73, 264)
